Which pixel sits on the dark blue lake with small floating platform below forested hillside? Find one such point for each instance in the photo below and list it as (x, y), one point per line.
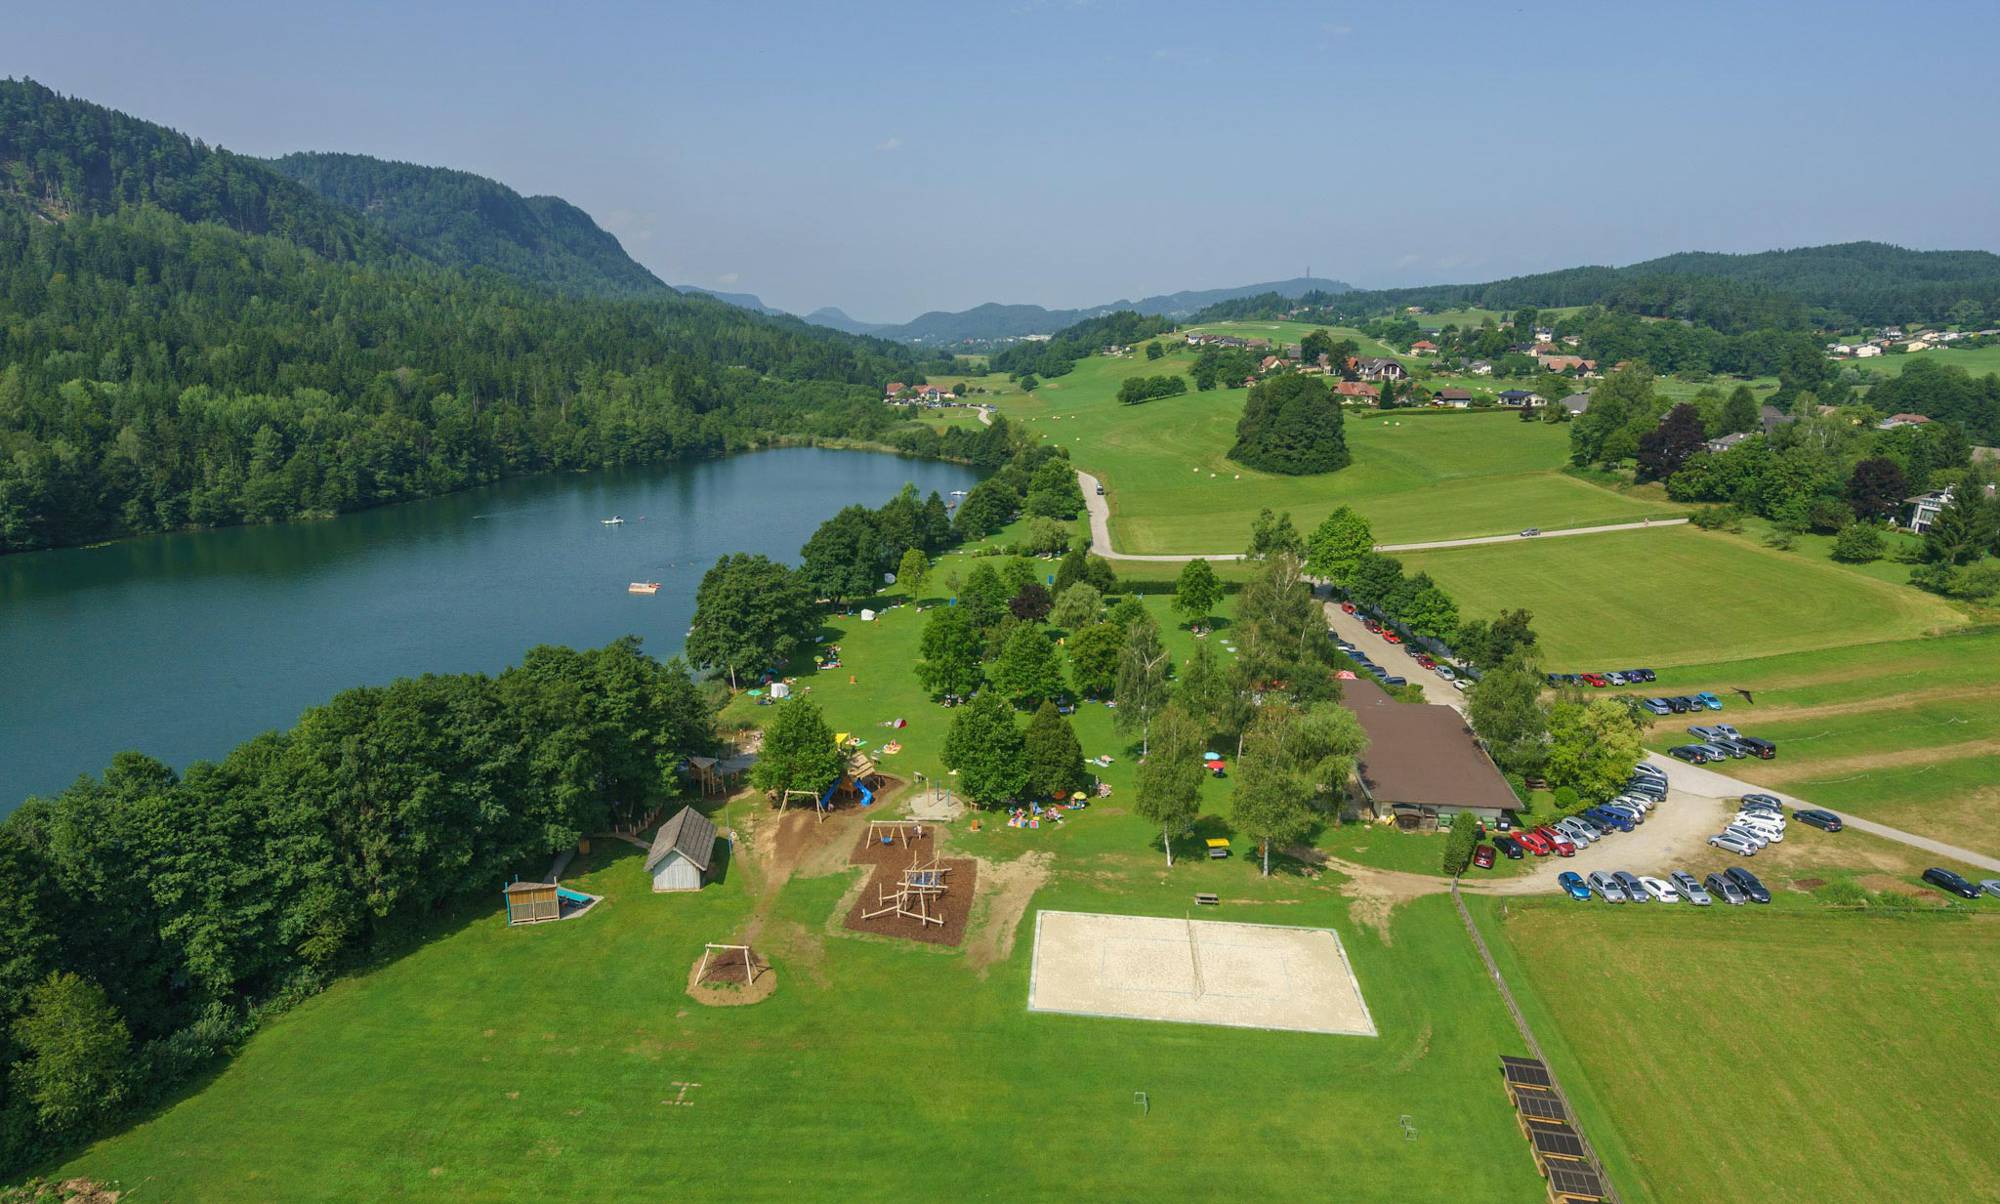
(187, 645)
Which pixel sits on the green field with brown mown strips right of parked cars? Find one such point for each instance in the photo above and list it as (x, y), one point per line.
(1903, 733)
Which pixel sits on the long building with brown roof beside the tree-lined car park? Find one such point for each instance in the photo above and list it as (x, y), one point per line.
(1423, 761)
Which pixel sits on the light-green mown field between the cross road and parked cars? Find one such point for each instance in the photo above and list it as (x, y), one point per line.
(1677, 597)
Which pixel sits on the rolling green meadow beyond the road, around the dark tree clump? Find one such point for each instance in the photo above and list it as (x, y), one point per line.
(1417, 477)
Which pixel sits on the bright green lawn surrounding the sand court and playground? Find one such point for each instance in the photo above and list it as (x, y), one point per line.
(547, 1063)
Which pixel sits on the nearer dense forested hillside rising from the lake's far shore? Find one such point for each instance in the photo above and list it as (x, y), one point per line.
(191, 339)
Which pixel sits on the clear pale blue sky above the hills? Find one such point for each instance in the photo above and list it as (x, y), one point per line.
(903, 157)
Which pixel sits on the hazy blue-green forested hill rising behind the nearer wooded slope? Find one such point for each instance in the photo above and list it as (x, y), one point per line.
(467, 221)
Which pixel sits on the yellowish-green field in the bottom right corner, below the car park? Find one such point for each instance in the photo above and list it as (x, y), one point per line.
(1769, 1053)
